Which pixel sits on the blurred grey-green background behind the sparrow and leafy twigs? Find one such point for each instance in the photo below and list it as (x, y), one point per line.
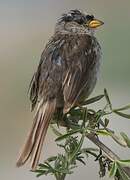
(25, 27)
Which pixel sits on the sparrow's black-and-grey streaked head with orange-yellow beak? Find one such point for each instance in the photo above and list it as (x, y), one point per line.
(76, 21)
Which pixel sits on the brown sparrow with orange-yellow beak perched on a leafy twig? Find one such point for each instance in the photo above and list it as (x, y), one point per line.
(66, 75)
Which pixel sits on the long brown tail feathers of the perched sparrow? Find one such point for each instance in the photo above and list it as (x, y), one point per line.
(33, 145)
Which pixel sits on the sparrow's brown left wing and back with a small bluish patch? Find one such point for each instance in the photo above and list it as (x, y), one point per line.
(46, 82)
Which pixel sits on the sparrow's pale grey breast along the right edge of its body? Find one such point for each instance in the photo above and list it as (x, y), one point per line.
(93, 61)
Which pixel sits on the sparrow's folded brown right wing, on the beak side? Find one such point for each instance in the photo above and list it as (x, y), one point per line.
(81, 59)
